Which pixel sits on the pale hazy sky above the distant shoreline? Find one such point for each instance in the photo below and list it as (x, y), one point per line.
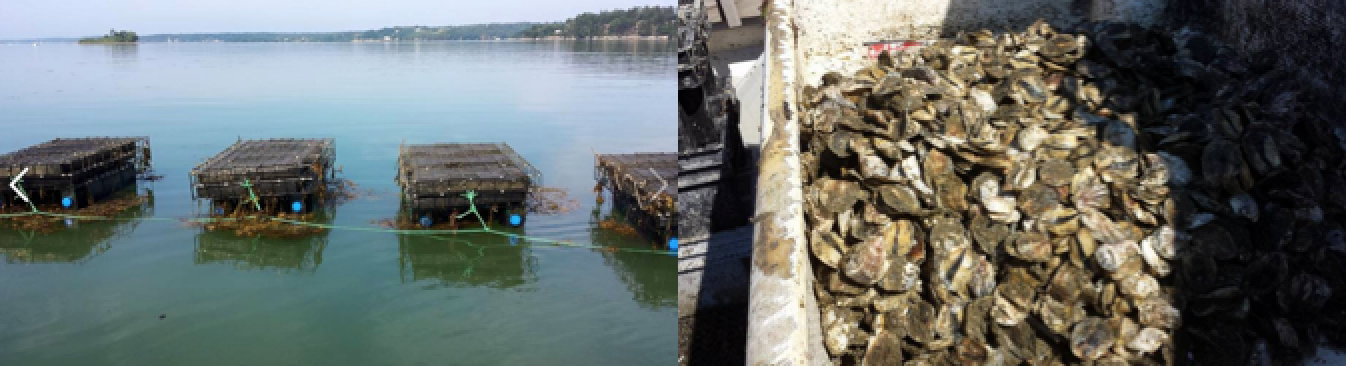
(29, 20)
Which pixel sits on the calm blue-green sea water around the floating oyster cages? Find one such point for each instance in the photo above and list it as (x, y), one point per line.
(94, 295)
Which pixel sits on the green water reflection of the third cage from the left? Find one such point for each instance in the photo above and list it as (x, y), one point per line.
(466, 260)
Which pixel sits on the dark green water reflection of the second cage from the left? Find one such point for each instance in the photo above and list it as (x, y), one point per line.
(282, 255)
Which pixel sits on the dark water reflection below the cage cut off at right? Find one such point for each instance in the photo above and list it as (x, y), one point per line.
(645, 275)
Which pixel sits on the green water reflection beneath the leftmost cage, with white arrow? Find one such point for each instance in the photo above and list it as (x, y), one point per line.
(83, 242)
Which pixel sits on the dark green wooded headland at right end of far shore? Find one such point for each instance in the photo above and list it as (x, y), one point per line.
(640, 21)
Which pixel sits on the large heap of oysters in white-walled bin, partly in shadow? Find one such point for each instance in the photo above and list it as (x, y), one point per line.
(1115, 196)
